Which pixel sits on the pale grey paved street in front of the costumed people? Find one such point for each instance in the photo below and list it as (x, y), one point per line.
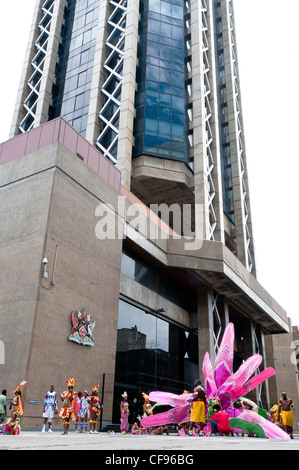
(35, 440)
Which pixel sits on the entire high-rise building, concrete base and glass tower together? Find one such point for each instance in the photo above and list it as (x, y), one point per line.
(146, 91)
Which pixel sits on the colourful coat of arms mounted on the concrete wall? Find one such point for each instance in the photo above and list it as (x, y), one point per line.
(82, 328)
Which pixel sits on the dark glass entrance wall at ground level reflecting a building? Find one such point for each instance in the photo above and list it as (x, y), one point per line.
(151, 354)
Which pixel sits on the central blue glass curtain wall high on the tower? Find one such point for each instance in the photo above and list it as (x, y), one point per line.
(161, 127)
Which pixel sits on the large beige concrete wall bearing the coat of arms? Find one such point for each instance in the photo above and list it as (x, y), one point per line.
(52, 210)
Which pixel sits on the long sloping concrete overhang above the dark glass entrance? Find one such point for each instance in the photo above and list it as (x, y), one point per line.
(213, 265)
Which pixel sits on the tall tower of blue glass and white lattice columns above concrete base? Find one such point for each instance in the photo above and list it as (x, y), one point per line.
(154, 85)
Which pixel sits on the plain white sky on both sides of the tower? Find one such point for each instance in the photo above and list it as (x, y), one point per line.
(267, 41)
